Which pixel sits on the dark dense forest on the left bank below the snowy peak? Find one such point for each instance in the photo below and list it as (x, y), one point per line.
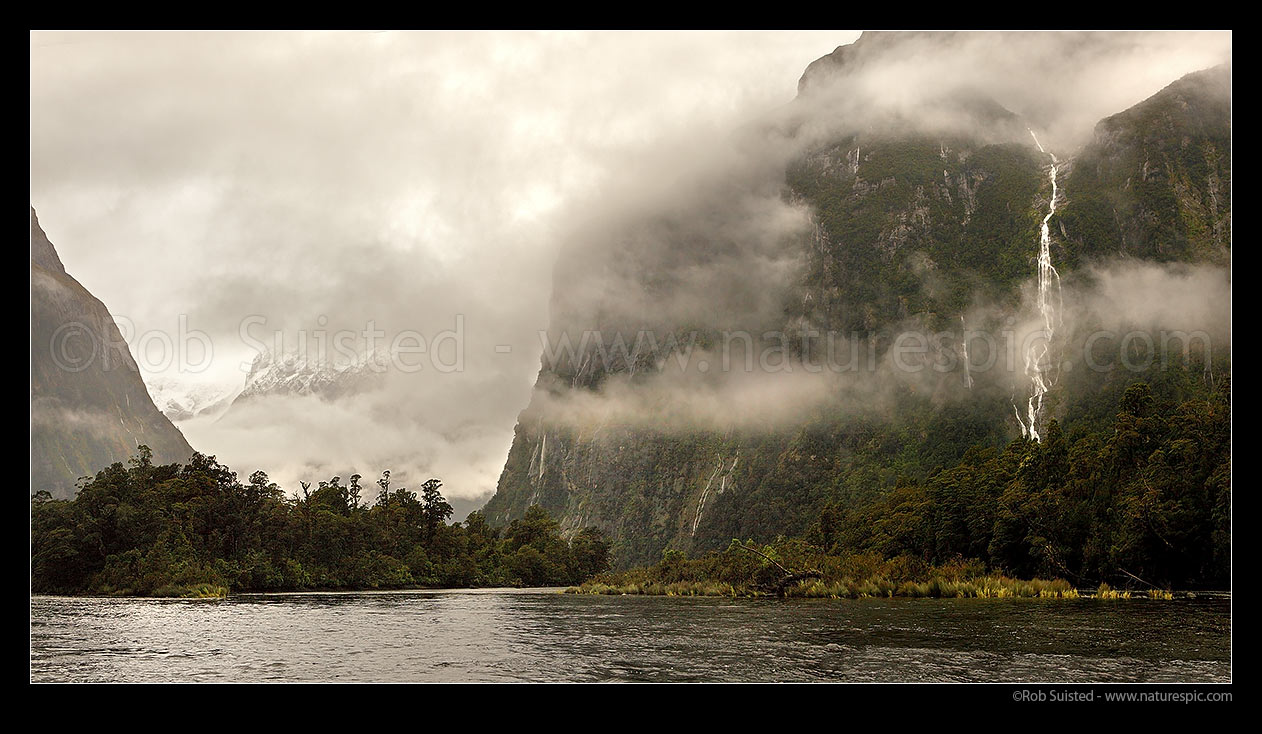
(196, 530)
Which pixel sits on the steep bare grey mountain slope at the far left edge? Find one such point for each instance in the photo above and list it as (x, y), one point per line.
(89, 404)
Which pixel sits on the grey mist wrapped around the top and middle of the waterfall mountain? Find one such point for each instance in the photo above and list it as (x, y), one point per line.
(709, 240)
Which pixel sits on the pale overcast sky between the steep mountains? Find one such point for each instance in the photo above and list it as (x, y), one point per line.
(426, 181)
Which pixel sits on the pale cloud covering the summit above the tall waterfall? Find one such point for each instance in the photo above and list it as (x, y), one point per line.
(1061, 84)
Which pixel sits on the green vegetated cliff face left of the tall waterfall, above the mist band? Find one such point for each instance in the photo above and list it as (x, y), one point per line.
(894, 211)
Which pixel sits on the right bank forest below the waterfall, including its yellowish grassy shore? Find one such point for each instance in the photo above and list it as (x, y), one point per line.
(1143, 505)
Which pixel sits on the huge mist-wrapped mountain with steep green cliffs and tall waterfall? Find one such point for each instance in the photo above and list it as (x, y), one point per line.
(911, 228)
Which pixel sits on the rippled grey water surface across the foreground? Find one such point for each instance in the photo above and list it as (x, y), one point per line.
(545, 636)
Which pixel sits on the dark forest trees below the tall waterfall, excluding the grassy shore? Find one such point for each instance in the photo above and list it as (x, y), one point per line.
(1148, 499)
